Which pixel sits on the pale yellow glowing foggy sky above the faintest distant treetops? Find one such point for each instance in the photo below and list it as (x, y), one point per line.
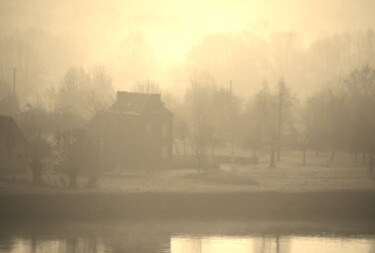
(172, 27)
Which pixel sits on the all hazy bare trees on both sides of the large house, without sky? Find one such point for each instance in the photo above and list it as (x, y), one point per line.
(213, 111)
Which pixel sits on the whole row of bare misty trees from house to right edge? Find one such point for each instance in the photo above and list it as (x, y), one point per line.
(338, 116)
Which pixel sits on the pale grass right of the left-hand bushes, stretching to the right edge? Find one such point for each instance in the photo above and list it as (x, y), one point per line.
(288, 176)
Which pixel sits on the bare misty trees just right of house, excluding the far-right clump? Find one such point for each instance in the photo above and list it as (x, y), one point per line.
(216, 117)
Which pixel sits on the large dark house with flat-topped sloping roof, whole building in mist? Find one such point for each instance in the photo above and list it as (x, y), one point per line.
(135, 132)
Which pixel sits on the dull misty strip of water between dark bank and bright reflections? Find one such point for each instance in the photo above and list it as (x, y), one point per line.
(87, 228)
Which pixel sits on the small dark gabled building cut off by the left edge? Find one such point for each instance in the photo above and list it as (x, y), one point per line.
(13, 146)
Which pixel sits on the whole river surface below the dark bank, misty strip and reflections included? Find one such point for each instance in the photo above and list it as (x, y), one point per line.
(178, 237)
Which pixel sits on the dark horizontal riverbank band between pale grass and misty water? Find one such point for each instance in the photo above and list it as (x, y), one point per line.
(329, 205)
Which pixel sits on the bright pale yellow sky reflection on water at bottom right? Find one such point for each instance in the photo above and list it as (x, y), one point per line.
(288, 244)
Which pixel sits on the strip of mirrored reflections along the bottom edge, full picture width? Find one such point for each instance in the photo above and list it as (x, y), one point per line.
(196, 244)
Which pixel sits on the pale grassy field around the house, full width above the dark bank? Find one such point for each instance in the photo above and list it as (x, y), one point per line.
(320, 174)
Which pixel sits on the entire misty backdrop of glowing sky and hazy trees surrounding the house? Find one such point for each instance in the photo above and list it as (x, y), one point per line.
(263, 76)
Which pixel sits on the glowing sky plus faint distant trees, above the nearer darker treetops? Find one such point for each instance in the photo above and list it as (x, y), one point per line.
(308, 44)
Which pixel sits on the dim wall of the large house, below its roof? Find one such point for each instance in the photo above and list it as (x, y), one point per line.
(133, 141)
